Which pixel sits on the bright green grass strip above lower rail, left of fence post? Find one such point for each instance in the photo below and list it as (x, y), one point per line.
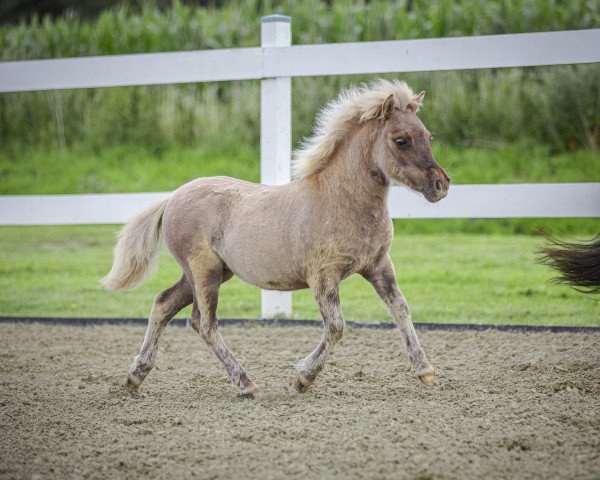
(124, 168)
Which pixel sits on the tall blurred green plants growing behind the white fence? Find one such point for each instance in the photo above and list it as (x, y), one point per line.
(555, 106)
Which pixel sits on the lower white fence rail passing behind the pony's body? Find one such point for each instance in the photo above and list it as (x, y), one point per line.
(533, 200)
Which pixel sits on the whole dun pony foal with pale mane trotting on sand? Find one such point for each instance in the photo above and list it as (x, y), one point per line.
(312, 233)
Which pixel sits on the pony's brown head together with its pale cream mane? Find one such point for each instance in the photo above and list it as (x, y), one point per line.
(401, 147)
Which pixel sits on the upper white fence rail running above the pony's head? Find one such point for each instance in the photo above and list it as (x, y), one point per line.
(457, 53)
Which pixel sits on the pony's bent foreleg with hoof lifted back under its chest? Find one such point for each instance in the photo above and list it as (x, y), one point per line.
(328, 299)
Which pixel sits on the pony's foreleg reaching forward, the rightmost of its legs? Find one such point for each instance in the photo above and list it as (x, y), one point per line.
(383, 279)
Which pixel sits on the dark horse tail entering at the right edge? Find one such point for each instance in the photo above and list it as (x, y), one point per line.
(577, 263)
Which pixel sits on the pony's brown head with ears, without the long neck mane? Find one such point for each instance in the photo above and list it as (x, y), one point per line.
(402, 149)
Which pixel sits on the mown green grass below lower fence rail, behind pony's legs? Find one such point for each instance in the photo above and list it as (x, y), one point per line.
(54, 271)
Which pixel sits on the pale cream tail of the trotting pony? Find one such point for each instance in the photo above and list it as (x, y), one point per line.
(136, 250)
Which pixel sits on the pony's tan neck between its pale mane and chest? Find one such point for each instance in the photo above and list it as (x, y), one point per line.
(352, 176)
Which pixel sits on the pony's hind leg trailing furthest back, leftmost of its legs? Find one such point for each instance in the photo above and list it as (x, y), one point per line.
(166, 305)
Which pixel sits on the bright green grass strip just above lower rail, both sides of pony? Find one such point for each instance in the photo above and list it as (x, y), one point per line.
(136, 168)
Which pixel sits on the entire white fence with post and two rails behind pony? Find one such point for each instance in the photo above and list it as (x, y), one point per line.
(275, 62)
